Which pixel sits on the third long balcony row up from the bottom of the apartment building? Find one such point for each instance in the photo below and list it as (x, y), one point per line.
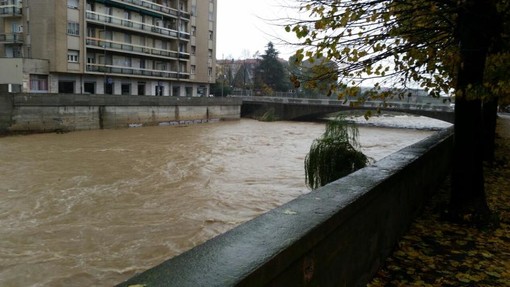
(112, 21)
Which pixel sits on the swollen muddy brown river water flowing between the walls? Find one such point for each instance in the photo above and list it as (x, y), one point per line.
(92, 208)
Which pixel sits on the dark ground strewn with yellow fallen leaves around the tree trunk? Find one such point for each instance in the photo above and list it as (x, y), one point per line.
(435, 252)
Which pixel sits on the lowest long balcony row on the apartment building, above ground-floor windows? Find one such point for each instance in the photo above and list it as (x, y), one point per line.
(134, 71)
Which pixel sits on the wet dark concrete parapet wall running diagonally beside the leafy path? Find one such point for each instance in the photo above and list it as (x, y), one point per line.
(336, 236)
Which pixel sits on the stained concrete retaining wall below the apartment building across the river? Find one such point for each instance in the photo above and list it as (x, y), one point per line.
(69, 112)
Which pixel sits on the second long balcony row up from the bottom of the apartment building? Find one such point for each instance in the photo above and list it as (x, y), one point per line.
(133, 48)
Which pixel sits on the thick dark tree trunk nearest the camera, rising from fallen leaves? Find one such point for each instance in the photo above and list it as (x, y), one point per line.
(468, 199)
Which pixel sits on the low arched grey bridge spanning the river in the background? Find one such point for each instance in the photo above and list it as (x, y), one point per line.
(312, 109)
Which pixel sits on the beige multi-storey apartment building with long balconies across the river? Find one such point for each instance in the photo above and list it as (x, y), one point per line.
(120, 47)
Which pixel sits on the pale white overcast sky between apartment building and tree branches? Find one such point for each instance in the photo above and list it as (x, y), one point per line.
(244, 28)
